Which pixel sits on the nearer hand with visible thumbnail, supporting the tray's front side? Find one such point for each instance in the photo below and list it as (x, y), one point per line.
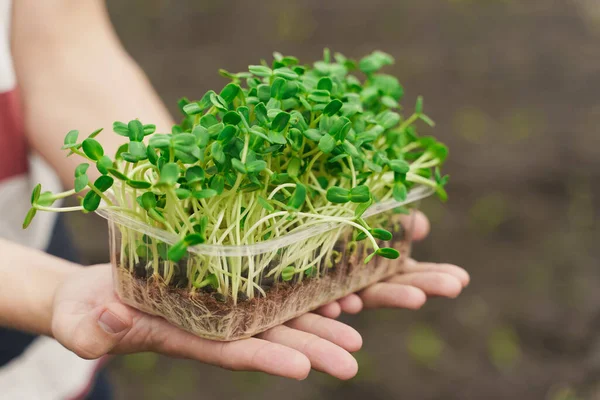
(89, 319)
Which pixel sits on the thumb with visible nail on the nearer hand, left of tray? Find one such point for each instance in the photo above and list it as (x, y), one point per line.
(95, 333)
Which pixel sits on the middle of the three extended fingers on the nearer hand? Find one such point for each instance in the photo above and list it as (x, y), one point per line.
(323, 355)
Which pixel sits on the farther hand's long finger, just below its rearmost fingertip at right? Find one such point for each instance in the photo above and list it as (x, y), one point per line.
(432, 283)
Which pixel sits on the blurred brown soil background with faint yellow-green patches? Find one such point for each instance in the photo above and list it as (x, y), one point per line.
(513, 86)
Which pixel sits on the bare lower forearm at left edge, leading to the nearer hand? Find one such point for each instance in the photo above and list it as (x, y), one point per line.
(29, 281)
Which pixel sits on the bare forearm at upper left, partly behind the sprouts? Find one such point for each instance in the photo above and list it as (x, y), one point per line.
(74, 74)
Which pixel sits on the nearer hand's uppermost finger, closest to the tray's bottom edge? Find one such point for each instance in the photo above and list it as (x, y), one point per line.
(329, 329)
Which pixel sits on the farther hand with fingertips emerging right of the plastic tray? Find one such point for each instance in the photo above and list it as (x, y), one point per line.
(408, 289)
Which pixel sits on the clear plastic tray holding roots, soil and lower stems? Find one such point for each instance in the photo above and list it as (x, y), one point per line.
(328, 261)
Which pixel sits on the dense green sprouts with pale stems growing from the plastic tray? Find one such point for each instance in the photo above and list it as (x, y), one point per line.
(281, 147)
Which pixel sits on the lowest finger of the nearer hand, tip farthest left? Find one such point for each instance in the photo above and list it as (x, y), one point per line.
(242, 355)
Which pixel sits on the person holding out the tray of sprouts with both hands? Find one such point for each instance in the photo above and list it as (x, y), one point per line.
(62, 67)
